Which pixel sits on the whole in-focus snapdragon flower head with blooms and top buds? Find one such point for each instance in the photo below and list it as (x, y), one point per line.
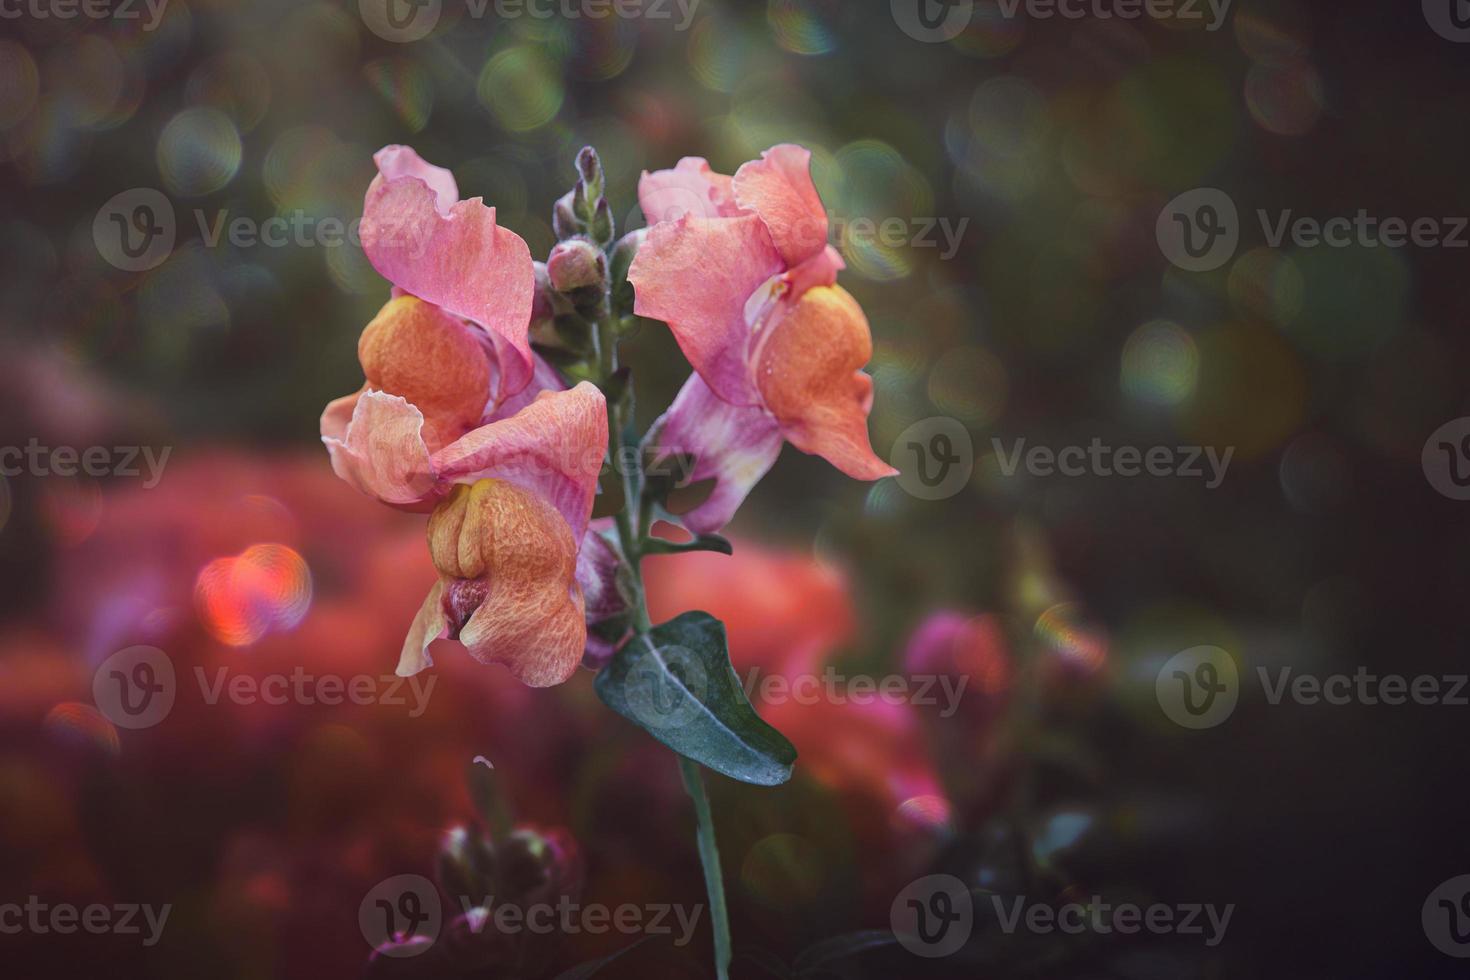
(462, 417)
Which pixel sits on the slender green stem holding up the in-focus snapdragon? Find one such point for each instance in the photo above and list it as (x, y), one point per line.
(633, 544)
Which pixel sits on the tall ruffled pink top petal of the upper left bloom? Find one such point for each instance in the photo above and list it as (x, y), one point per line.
(456, 258)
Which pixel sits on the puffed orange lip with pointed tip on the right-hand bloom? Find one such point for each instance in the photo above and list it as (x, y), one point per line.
(809, 377)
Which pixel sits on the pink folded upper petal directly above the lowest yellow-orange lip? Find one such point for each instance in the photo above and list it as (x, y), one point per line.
(553, 447)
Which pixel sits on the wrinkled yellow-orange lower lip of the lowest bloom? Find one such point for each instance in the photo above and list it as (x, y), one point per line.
(533, 618)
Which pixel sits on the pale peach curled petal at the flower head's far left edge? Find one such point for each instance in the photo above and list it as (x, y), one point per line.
(380, 450)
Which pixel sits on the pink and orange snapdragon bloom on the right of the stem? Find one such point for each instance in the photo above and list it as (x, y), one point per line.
(747, 283)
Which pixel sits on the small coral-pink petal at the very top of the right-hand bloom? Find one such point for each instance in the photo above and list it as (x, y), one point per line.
(780, 189)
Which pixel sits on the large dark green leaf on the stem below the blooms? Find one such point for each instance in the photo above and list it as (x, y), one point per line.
(677, 684)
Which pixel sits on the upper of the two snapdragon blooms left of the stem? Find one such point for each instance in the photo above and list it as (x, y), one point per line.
(449, 353)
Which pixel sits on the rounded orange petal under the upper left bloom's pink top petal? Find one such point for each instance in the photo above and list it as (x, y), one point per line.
(434, 361)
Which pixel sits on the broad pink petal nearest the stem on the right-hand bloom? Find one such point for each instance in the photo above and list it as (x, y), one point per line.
(696, 275)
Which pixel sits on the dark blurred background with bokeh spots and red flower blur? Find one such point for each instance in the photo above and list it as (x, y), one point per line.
(1000, 186)
